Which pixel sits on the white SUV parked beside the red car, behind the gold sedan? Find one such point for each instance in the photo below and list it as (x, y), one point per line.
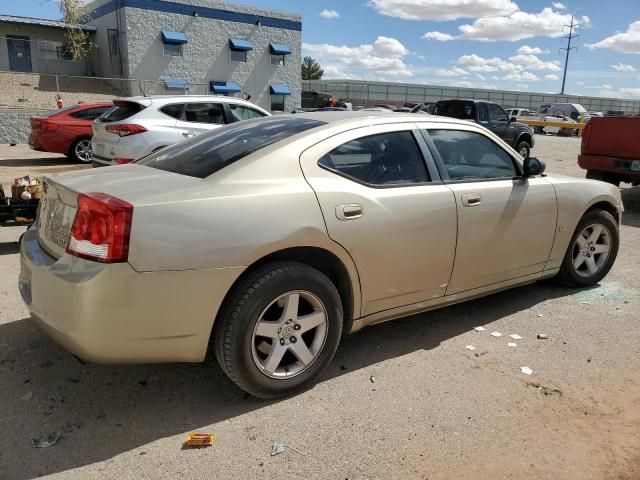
(137, 126)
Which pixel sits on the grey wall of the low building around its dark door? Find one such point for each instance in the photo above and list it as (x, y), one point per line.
(41, 65)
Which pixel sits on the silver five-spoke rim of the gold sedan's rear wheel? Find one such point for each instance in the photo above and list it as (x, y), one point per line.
(289, 335)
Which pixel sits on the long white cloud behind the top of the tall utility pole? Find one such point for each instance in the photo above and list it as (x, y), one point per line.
(518, 26)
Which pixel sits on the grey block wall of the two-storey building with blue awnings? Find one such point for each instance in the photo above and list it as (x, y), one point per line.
(206, 56)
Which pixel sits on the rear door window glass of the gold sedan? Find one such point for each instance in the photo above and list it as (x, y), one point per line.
(382, 159)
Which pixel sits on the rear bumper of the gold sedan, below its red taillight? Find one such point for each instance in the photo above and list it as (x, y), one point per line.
(114, 314)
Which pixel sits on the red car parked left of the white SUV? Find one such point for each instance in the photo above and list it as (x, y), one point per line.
(67, 131)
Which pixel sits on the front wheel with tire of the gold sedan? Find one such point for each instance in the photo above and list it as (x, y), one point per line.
(592, 251)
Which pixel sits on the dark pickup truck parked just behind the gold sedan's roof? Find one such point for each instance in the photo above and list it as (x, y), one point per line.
(492, 116)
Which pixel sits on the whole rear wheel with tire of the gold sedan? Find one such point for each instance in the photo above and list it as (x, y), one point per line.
(279, 329)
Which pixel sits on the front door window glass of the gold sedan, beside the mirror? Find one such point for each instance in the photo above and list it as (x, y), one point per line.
(472, 156)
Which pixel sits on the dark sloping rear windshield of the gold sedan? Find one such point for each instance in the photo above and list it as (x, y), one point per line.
(205, 154)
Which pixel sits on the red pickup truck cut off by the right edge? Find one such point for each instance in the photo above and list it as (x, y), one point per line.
(611, 149)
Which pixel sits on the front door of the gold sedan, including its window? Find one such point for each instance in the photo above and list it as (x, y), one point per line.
(506, 223)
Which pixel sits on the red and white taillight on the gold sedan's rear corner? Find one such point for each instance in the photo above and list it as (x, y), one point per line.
(101, 228)
